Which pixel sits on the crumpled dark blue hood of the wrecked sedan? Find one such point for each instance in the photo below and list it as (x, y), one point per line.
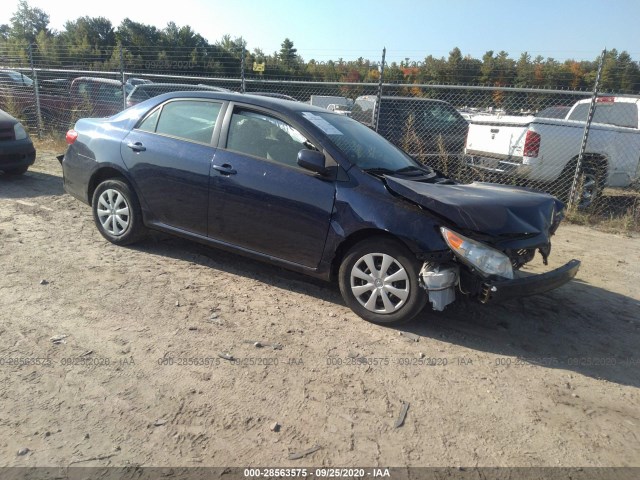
(501, 212)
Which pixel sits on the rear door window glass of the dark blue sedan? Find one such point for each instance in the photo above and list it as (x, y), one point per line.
(187, 119)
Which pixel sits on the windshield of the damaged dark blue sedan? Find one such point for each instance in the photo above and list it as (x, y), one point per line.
(359, 144)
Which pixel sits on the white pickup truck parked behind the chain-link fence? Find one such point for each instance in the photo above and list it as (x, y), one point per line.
(544, 151)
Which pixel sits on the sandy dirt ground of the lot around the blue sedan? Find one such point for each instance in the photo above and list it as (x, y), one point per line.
(118, 357)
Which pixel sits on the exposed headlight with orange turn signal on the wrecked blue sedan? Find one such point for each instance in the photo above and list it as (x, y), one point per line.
(486, 259)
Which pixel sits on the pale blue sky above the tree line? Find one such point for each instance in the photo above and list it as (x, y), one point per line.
(348, 29)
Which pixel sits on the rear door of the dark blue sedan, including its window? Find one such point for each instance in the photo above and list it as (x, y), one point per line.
(169, 155)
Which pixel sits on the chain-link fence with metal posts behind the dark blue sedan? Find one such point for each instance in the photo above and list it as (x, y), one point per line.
(581, 146)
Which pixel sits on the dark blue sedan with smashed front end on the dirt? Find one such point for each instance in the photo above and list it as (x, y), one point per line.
(313, 191)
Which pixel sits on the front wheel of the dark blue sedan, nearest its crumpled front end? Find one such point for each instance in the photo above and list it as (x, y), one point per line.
(379, 281)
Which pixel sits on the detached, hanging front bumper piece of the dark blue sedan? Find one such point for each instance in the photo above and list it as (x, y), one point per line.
(494, 291)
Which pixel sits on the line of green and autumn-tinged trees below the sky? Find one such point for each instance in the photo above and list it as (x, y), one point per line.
(95, 43)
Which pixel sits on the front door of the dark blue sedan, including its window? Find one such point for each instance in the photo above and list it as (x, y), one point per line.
(260, 199)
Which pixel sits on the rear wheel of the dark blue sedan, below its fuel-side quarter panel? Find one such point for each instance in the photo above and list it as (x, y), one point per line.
(117, 212)
